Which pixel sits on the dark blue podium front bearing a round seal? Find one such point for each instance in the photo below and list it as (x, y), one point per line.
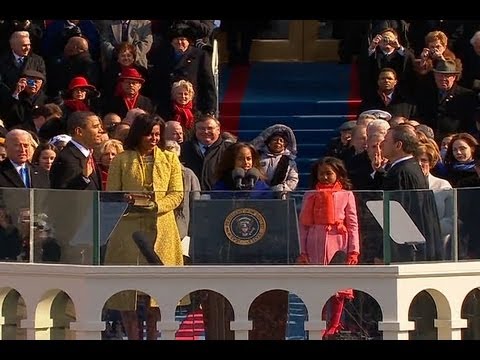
(244, 231)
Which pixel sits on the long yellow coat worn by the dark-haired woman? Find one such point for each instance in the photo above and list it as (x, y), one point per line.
(127, 174)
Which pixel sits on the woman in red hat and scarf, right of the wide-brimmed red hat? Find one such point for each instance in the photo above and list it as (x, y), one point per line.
(129, 97)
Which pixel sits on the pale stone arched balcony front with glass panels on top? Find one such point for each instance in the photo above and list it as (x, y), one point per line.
(241, 249)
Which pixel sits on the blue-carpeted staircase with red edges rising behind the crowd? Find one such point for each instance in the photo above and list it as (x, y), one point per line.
(311, 98)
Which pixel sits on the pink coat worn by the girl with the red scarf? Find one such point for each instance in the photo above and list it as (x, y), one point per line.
(321, 244)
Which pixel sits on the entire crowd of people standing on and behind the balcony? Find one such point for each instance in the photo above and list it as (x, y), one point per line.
(129, 108)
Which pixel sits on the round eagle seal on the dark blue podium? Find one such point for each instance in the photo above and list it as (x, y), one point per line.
(245, 226)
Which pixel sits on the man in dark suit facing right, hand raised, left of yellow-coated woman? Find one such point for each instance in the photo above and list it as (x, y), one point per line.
(74, 167)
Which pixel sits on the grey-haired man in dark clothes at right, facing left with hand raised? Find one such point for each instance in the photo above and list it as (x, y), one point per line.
(404, 173)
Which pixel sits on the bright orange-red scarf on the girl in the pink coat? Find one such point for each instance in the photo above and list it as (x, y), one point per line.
(319, 209)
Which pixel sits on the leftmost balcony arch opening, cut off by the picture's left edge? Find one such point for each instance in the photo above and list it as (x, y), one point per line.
(12, 311)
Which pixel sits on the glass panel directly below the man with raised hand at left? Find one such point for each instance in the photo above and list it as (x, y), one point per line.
(65, 226)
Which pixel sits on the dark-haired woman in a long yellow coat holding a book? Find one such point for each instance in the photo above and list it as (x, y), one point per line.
(152, 181)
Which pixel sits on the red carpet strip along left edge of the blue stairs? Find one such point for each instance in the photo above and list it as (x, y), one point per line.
(232, 101)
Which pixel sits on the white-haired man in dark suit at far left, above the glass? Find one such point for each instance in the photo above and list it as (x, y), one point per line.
(16, 171)
